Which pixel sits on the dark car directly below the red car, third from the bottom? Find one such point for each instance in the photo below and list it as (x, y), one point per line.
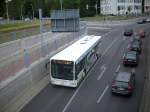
(135, 46)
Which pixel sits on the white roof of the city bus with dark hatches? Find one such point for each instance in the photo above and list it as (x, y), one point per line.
(77, 50)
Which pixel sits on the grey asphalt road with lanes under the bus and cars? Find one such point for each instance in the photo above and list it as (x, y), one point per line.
(93, 94)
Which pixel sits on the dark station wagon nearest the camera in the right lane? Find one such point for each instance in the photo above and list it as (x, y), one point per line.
(123, 83)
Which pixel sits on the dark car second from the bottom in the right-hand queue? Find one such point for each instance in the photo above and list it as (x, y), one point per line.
(131, 58)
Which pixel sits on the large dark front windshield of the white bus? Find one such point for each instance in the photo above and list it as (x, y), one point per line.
(62, 69)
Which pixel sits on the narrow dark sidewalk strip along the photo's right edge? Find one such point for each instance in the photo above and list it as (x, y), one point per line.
(145, 101)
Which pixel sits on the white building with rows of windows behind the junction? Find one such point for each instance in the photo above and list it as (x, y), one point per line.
(121, 7)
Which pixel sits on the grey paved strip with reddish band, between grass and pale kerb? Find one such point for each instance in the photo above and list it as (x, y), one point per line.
(17, 55)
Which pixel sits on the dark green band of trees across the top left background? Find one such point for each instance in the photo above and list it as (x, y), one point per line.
(28, 8)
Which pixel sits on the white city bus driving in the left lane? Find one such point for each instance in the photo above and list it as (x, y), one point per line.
(70, 66)
